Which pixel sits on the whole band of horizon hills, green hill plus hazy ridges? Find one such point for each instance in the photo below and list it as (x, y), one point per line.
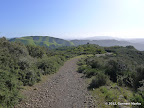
(52, 42)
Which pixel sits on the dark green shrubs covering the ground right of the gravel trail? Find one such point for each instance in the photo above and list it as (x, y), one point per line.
(122, 65)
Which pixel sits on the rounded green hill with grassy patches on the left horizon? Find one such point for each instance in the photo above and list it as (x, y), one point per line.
(47, 41)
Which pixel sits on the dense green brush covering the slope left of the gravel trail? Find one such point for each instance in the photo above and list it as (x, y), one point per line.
(23, 65)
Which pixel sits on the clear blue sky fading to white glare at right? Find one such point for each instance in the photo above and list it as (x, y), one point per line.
(72, 18)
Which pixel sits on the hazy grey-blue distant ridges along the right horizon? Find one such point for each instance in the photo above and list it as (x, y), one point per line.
(108, 43)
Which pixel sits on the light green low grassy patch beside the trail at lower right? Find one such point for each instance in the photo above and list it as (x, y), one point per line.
(110, 93)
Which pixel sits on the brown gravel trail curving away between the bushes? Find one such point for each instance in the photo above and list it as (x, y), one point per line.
(65, 89)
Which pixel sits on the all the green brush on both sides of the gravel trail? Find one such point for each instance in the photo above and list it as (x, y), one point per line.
(23, 65)
